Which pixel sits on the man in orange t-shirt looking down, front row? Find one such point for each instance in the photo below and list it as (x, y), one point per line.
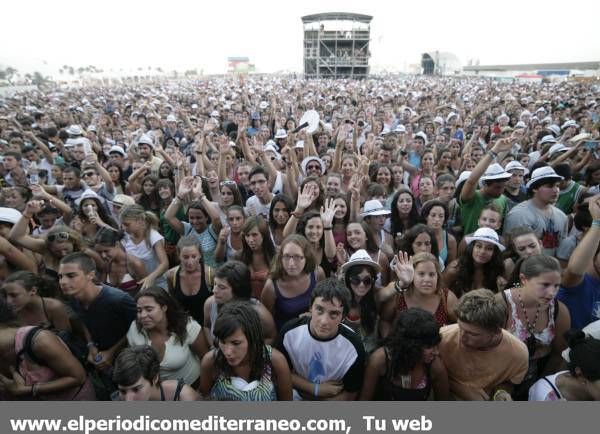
(483, 360)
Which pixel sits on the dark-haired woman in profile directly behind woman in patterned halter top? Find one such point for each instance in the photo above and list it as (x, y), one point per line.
(232, 283)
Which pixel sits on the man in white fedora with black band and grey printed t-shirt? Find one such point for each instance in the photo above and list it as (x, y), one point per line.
(548, 222)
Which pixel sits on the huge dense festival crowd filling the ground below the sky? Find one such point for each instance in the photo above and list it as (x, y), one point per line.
(416, 239)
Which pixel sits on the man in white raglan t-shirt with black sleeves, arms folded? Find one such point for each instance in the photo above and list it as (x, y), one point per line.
(327, 357)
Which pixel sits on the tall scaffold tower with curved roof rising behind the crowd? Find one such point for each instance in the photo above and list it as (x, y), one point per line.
(336, 45)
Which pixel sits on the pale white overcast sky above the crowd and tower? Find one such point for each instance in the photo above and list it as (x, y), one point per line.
(185, 34)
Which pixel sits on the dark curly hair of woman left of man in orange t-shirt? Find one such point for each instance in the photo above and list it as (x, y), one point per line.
(413, 331)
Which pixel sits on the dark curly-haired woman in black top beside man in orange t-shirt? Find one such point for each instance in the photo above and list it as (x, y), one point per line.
(407, 367)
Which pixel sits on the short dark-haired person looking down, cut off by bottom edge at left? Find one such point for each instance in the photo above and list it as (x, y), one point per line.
(137, 376)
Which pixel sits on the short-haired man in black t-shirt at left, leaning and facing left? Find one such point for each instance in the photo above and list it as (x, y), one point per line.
(105, 312)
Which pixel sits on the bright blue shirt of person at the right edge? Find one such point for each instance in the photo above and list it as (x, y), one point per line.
(583, 301)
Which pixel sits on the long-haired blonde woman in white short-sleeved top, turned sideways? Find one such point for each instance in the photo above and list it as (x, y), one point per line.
(144, 242)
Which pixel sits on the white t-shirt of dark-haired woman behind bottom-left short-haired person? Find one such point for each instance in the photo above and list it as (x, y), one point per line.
(178, 361)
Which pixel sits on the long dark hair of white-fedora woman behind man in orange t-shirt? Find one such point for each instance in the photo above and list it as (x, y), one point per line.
(466, 271)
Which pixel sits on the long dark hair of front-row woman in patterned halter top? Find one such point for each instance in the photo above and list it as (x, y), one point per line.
(234, 316)
